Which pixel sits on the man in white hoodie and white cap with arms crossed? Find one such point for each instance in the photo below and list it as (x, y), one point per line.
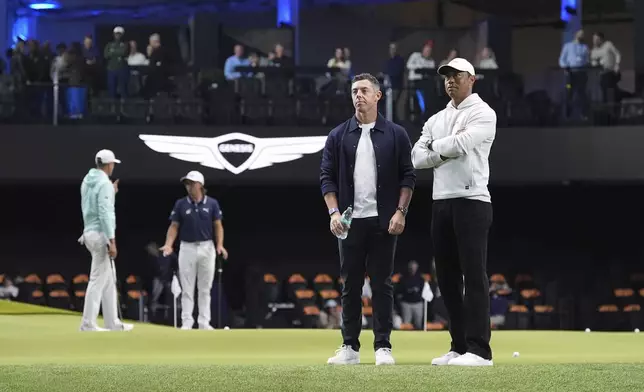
(456, 143)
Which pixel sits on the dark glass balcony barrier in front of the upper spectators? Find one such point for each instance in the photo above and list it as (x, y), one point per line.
(316, 98)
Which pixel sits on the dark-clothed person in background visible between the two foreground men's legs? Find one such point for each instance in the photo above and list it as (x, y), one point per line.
(410, 295)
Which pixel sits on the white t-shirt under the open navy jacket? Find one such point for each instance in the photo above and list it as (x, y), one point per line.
(365, 176)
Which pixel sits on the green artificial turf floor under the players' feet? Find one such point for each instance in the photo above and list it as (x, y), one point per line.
(46, 352)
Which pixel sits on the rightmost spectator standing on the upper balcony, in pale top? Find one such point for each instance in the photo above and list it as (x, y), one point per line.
(605, 55)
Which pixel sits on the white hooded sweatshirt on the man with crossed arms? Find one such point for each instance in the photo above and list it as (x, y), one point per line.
(456, 143)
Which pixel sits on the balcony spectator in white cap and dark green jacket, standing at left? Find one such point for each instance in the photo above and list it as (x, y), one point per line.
(117, 71)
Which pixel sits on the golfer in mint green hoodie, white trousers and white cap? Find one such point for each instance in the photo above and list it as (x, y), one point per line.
(97, 203)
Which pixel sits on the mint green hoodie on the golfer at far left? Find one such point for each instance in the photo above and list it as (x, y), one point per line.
(97, 203)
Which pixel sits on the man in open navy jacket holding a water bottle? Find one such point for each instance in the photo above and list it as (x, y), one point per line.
(367, 164)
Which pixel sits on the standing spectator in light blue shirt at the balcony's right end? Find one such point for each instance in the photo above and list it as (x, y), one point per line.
(573, 59)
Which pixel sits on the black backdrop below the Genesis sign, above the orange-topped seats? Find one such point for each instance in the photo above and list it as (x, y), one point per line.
(575, 233)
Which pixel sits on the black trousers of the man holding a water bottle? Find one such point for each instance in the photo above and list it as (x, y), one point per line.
(368, 249)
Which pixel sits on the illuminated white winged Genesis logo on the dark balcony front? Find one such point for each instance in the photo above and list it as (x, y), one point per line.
(235, 152)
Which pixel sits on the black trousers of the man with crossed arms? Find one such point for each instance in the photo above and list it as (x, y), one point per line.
(460, 233)
